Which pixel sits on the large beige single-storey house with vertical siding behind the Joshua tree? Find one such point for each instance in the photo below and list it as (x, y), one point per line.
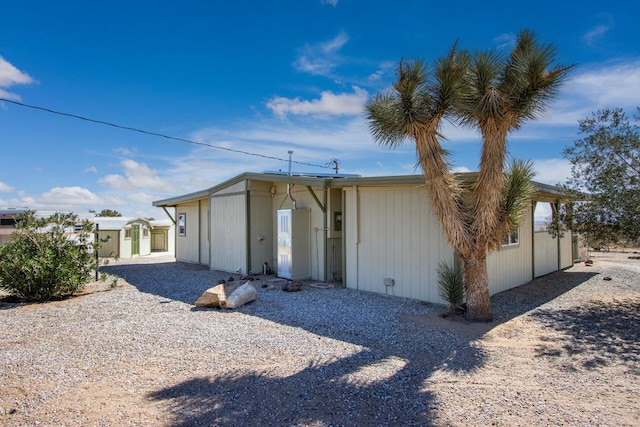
(376, 234)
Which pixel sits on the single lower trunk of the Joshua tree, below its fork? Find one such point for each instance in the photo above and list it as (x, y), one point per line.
(476, 280)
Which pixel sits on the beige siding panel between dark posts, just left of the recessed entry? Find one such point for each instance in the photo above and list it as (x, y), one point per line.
(229, 233)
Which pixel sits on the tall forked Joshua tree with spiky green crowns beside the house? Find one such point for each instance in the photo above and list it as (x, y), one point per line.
(490, 92)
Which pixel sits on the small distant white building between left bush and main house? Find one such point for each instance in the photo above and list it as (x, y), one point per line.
(129, 237)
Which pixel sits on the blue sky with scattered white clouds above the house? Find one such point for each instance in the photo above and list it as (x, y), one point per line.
(264, 78)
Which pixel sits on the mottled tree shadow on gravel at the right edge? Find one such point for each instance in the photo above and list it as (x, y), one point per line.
(595, 334)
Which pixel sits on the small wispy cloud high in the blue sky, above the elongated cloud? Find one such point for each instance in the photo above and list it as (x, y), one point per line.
(322, 58)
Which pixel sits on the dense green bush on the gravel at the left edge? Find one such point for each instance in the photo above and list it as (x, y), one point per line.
(47, 257)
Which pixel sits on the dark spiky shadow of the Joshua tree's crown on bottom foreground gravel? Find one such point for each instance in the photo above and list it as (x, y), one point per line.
(317, 395)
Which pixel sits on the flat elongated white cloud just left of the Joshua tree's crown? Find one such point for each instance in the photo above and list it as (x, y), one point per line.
(329, 104)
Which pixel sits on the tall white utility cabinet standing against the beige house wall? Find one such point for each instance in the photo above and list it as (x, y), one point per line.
(294, 245)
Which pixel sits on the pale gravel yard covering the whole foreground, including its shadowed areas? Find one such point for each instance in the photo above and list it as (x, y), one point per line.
(562, 350)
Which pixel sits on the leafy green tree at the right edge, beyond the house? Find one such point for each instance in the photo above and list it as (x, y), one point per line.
(605, 176)
